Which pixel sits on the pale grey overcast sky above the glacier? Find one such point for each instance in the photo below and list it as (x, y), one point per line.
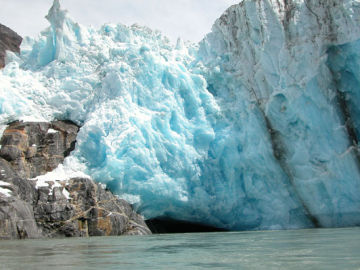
(189, 19)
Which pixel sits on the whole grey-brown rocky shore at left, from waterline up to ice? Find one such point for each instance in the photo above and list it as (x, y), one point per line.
(77, 207)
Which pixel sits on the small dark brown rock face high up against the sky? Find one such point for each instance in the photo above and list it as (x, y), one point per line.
(9, 40)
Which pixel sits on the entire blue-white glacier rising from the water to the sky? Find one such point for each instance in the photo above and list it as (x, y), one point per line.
(256, 127)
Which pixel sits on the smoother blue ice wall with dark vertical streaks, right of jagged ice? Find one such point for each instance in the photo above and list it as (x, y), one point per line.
(296, 63)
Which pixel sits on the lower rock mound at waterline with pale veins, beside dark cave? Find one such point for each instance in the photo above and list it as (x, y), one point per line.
(89, 211)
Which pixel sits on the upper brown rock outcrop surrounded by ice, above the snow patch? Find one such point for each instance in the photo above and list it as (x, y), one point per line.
(37, 148)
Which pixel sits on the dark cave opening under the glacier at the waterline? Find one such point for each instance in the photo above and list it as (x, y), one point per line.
(167, 225)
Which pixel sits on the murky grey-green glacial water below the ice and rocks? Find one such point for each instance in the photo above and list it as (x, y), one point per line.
(298, 249)
